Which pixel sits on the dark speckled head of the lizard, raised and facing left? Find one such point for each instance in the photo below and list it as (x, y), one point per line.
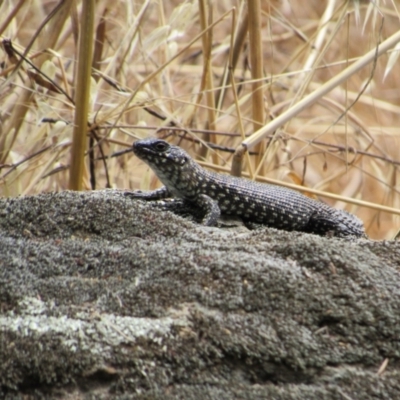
(158, 153)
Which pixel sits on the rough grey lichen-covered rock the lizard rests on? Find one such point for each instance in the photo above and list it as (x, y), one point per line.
(107, 296)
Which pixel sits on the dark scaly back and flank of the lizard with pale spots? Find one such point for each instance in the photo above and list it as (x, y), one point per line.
(277, 206)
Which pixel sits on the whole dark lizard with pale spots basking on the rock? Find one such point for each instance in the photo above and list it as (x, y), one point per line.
(259, 203)
